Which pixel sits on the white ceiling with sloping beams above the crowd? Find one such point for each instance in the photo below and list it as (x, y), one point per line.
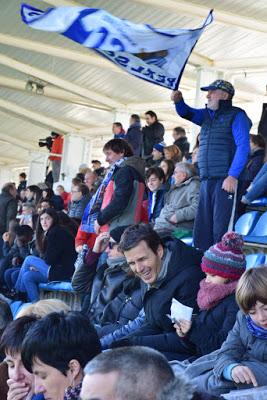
(83, 91)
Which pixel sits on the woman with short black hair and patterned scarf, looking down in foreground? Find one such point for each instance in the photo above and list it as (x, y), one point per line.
(56, 352)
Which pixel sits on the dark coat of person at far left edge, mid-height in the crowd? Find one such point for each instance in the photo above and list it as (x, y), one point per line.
(8, 211)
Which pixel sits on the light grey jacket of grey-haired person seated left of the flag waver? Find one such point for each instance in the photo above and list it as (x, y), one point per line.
(181, 200)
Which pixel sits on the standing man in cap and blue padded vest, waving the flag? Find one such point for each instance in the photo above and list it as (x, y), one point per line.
(223, 154)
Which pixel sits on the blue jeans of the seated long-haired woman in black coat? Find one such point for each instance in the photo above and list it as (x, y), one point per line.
(28, 279)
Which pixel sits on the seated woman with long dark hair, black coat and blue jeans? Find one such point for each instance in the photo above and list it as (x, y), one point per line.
(56, 256)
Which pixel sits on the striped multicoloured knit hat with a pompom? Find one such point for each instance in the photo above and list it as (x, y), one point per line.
(226, 258)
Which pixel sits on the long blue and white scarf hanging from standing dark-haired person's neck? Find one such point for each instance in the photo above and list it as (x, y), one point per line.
(93, 208)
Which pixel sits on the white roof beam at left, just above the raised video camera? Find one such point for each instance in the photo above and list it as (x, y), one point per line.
(39, 119)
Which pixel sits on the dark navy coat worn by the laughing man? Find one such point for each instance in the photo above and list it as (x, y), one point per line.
(180, 282)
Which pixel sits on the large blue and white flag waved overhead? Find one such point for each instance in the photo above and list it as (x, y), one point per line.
(156, 55)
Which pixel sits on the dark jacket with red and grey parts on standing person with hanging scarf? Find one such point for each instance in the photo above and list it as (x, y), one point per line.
(122, 202)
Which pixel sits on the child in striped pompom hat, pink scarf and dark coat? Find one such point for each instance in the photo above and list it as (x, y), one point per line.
(223, 265)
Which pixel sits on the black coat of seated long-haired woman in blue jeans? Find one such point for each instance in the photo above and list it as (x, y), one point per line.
(59, 254)
